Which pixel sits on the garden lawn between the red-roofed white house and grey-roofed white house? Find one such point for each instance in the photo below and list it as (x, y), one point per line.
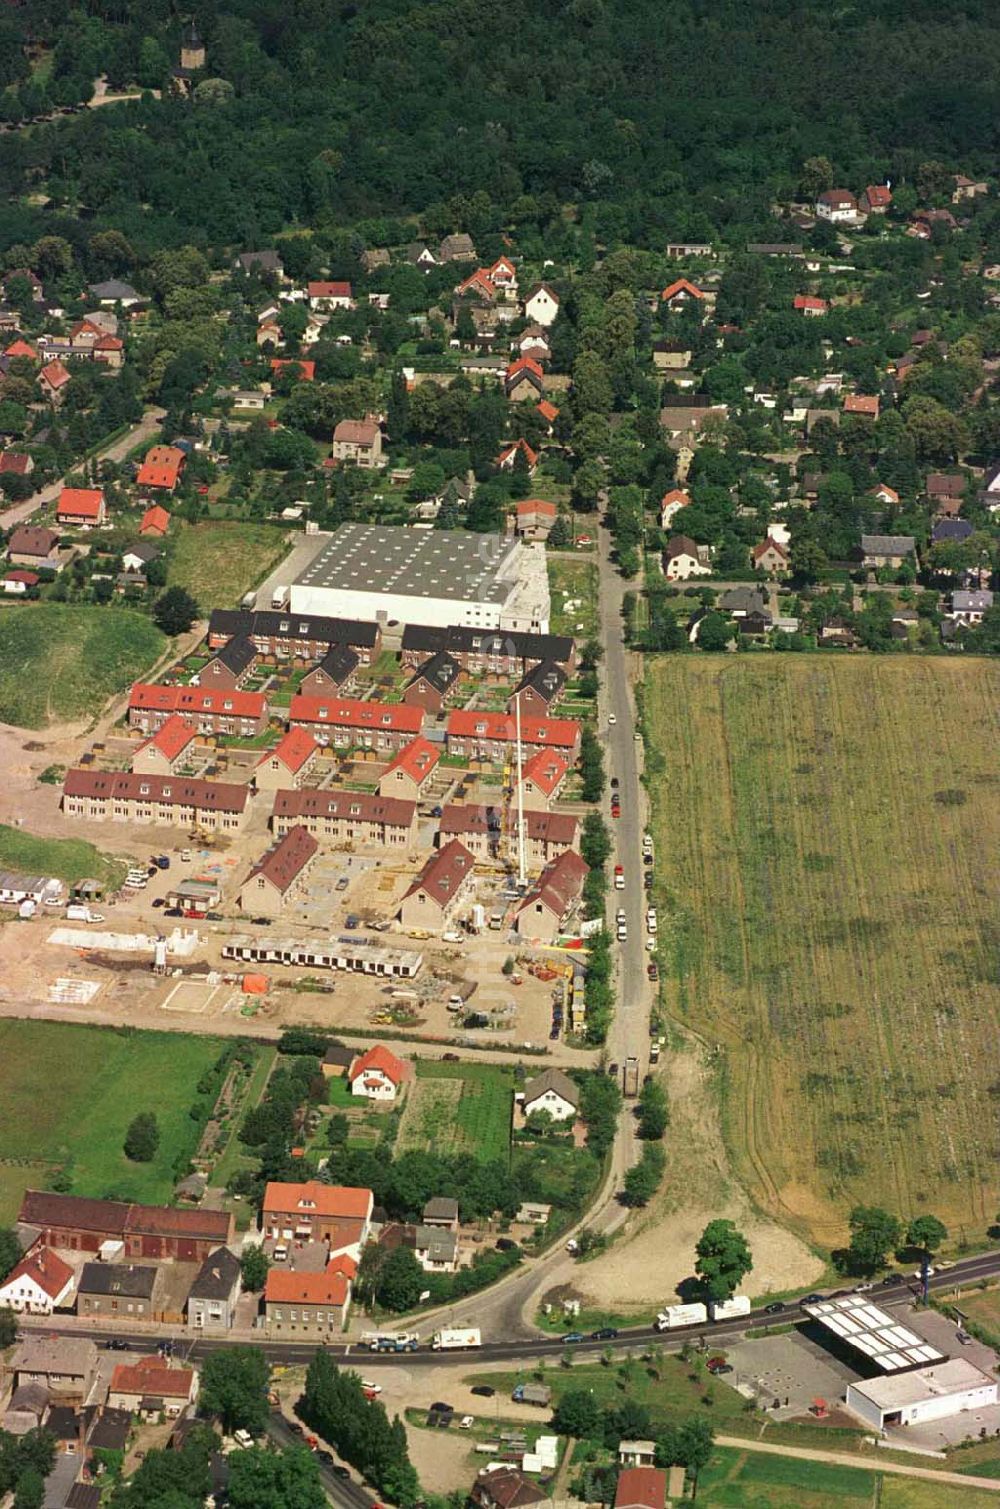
(459, 1108)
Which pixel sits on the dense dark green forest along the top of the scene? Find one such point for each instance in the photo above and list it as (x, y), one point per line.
(661, 115)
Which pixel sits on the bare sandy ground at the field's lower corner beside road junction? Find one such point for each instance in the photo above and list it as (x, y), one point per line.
(643, 1268)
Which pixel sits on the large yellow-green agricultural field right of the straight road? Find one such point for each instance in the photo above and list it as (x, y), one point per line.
(829, 867)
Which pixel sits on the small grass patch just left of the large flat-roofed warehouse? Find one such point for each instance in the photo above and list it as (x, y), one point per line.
(221, 562)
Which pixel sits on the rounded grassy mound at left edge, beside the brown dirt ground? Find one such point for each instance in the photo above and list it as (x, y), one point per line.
(60, 663)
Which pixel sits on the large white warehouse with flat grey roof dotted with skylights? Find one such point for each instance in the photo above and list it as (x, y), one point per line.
(432, 577)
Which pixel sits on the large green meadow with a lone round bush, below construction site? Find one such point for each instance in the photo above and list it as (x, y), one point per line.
(69, 1093)
